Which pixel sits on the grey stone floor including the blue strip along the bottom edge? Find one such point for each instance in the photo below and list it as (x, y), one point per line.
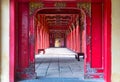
(59, 65)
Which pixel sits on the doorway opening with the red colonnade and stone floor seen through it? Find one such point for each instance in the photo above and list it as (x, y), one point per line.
(61, 28)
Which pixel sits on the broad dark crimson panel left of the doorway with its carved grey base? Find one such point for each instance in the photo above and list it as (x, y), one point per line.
(24, 57)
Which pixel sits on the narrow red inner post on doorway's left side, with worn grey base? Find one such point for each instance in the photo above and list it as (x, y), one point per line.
(31, 48)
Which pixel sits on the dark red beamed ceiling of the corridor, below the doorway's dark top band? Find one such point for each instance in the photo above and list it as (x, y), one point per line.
(59, 21)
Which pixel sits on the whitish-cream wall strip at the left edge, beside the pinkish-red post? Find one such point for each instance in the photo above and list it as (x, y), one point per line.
(4, 40)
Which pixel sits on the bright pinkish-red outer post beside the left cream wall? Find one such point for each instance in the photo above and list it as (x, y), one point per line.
(12, 42)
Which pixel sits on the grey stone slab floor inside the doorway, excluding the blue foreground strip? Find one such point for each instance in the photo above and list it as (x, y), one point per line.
(59, 63)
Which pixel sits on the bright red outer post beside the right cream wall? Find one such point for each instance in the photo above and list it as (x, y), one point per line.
(107, 39)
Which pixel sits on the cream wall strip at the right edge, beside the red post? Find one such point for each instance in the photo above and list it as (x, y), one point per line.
(115, 40)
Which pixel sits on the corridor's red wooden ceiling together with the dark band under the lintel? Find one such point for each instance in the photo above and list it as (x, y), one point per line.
(59, 19)
